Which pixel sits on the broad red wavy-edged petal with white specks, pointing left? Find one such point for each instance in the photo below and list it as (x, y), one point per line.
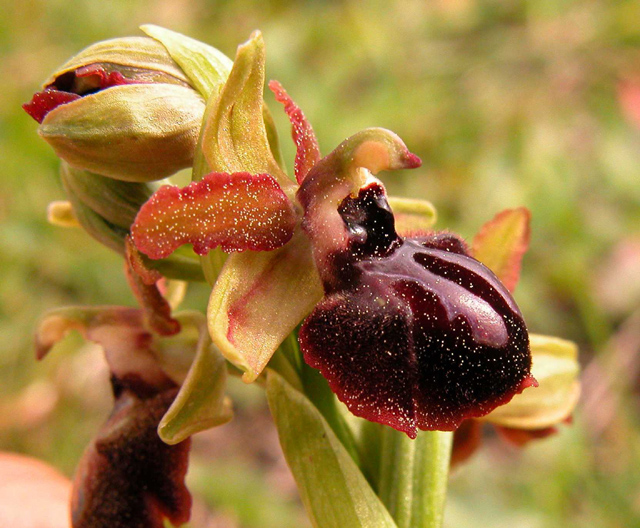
(236, 211)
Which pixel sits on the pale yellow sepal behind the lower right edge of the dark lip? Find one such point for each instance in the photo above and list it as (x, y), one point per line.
(555, 366)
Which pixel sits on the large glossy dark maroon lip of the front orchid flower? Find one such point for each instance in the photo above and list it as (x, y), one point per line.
(414, 333)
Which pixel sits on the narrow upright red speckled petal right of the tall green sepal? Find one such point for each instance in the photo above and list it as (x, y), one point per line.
(307, 149)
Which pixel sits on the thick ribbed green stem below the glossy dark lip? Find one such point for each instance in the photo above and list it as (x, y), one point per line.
(413, 477)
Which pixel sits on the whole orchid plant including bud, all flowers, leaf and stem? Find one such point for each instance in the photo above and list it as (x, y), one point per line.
(410, 328)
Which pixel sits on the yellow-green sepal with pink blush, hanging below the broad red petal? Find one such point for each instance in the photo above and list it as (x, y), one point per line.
(259, 299)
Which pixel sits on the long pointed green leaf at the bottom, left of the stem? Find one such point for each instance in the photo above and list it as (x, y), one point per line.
(333, 489)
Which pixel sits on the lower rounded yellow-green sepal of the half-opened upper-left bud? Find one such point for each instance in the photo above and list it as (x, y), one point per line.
(135, 132)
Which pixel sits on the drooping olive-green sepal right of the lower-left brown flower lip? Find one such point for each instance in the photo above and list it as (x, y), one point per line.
(201, 402)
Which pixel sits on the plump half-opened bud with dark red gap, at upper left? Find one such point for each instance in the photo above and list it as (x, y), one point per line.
(123, 109)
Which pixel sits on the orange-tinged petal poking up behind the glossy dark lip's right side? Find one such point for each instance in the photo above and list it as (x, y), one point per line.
(501, 243)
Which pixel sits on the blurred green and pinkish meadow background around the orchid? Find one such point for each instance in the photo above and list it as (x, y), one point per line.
(508, 103)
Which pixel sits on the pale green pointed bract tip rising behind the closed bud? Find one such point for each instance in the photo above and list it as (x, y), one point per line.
(206, 67)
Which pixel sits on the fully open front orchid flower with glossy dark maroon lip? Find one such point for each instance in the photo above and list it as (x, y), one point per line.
(412, 332)
